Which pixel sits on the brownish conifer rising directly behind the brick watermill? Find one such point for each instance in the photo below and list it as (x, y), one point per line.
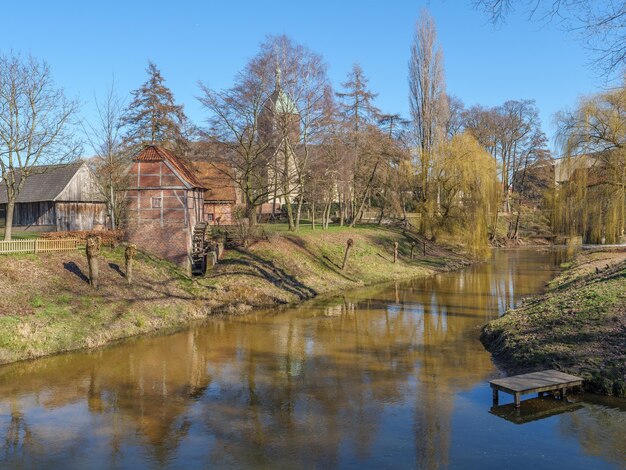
(153, 117)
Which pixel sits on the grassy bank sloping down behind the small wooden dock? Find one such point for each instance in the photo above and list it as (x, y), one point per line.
(578, 325)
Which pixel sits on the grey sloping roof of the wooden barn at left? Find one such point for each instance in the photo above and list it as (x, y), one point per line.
(45, 183)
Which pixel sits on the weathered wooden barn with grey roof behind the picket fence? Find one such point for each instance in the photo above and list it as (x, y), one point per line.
(57, 198)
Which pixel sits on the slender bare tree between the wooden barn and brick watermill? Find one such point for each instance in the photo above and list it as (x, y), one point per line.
(104, 137)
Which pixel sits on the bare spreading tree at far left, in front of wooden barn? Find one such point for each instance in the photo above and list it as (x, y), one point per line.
(35, 117)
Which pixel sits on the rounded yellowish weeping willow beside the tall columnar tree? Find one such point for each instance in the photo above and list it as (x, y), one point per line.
(467, 190)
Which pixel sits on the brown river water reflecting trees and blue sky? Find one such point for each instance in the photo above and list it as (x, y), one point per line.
(390, 376)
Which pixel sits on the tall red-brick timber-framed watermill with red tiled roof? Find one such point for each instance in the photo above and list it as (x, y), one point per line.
(164, 204)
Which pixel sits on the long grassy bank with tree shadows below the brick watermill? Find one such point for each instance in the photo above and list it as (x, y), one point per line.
(47, 305)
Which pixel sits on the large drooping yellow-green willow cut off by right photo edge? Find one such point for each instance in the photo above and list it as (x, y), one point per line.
(590, 197)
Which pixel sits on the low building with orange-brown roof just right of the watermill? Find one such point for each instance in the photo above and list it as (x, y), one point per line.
(220, 196)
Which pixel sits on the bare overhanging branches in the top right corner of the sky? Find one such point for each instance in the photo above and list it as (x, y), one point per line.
(600, 24)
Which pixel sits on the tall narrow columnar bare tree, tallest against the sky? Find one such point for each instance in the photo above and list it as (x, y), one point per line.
(429, 104)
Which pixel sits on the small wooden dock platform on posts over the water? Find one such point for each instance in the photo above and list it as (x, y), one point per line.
(535, 382)
